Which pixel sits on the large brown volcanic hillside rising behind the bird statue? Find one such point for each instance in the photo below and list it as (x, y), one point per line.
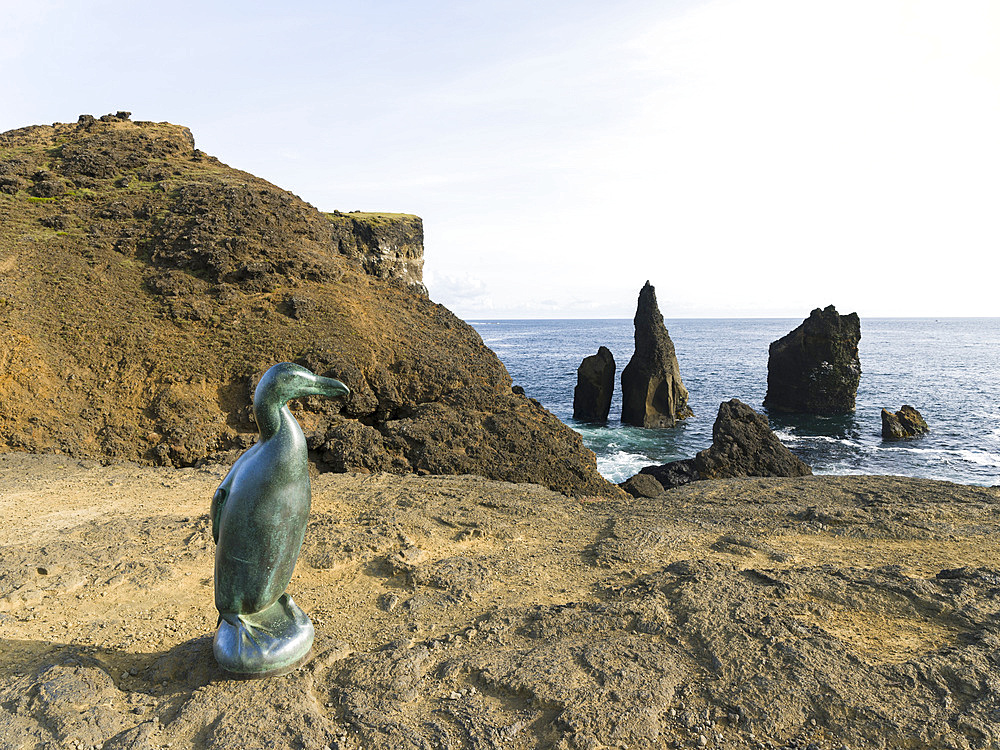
(139, 306)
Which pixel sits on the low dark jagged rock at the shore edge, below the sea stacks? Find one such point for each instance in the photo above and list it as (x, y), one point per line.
(743, 445)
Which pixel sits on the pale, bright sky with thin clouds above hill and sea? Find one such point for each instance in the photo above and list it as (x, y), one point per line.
(750, 158)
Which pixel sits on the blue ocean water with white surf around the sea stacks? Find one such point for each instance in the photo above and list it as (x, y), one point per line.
(947, 368)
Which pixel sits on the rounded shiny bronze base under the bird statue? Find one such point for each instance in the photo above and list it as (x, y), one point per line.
(263, 644)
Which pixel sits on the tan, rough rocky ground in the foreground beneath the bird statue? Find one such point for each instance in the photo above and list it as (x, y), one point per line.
(460, 612)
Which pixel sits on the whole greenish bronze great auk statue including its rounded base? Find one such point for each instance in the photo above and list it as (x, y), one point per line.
(259, 515)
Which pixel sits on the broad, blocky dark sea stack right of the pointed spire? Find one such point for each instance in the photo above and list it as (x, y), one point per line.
(815, 369)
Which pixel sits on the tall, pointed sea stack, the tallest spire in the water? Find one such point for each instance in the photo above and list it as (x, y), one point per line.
(652, 392)
